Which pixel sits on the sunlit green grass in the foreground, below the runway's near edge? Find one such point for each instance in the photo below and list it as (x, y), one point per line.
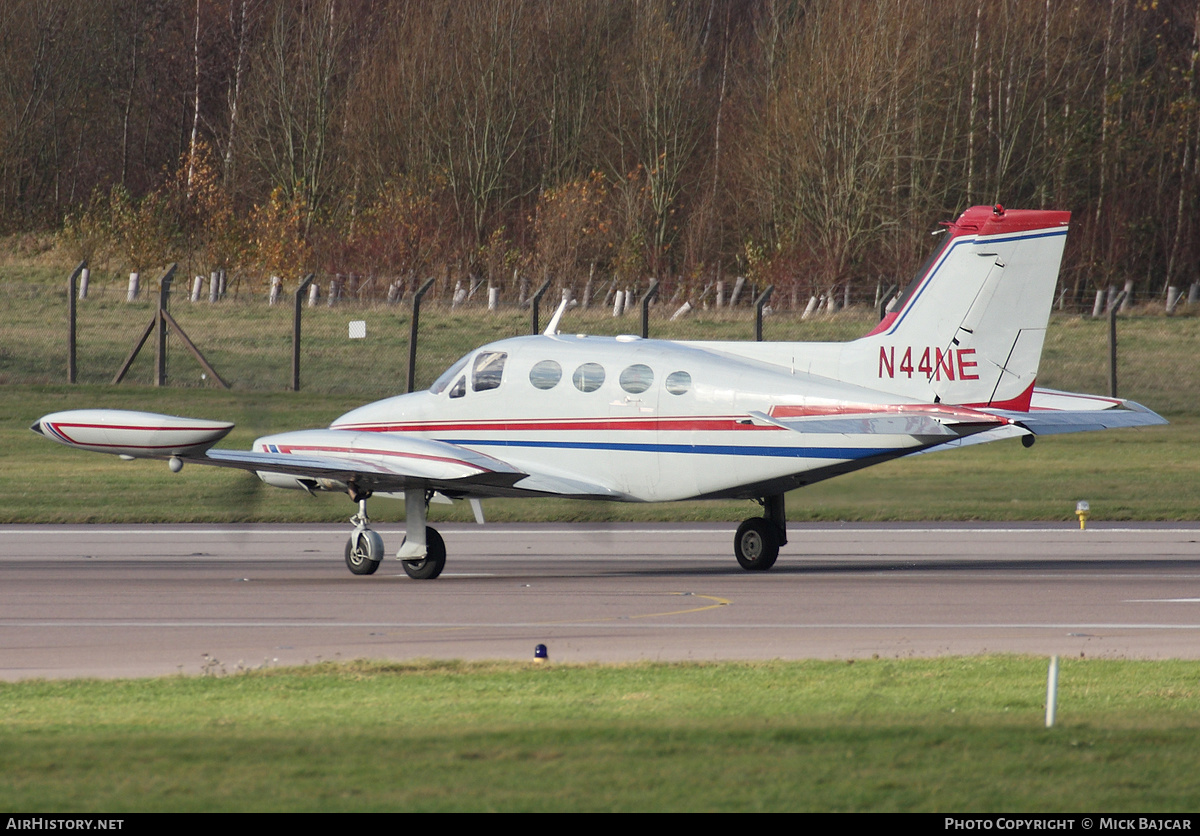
(962, 735)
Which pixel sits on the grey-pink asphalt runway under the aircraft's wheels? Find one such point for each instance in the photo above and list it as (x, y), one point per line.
(147, 600)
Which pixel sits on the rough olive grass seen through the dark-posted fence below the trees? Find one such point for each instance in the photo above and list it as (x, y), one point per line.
(356, 340)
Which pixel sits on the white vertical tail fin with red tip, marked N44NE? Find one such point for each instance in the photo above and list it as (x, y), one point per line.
(970, 328)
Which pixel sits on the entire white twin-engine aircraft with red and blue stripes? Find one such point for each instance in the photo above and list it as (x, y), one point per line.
(646, 420)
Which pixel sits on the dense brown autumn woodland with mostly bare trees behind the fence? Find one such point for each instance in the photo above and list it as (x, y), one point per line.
(812, 145)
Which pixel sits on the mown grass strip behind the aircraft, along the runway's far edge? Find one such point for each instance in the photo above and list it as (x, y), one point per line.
(1150, 473)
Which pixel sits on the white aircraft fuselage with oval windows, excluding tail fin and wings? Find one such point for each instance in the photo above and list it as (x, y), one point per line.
(652, 420)
